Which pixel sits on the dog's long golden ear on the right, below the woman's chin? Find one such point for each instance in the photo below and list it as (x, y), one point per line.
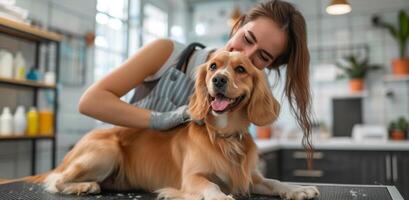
(263, 108)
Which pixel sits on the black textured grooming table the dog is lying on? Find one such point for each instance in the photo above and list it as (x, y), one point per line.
(20, 190)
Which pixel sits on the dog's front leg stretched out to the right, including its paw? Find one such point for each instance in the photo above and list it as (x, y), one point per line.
(273, 187)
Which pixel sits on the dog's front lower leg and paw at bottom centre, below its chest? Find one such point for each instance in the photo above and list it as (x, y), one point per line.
(198, 184)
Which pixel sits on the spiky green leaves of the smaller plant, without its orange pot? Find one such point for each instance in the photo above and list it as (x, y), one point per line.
(355, 68)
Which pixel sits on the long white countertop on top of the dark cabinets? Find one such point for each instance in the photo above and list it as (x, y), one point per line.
(334, 144)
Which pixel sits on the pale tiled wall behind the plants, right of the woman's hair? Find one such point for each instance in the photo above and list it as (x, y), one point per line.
(351, 30)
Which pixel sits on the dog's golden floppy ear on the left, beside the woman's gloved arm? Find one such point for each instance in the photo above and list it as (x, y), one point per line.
(199, 102)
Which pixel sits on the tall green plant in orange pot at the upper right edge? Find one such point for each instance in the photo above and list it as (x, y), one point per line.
(400, 66)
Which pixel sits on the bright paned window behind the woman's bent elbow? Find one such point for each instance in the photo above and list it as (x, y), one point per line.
(118, 31)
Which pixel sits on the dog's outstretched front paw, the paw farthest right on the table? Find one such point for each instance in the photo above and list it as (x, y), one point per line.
(301, 193)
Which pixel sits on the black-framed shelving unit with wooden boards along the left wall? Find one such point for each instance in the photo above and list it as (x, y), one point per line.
(22, 32)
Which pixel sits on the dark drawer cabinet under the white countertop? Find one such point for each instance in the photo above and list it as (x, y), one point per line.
(348, 167)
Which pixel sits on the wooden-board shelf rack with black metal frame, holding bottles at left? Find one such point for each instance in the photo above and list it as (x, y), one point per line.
(20, 31)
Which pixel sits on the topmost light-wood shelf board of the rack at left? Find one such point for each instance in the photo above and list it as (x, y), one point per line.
(22, 30)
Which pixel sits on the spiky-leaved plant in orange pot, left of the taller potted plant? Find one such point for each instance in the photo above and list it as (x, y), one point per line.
(355, 69)
